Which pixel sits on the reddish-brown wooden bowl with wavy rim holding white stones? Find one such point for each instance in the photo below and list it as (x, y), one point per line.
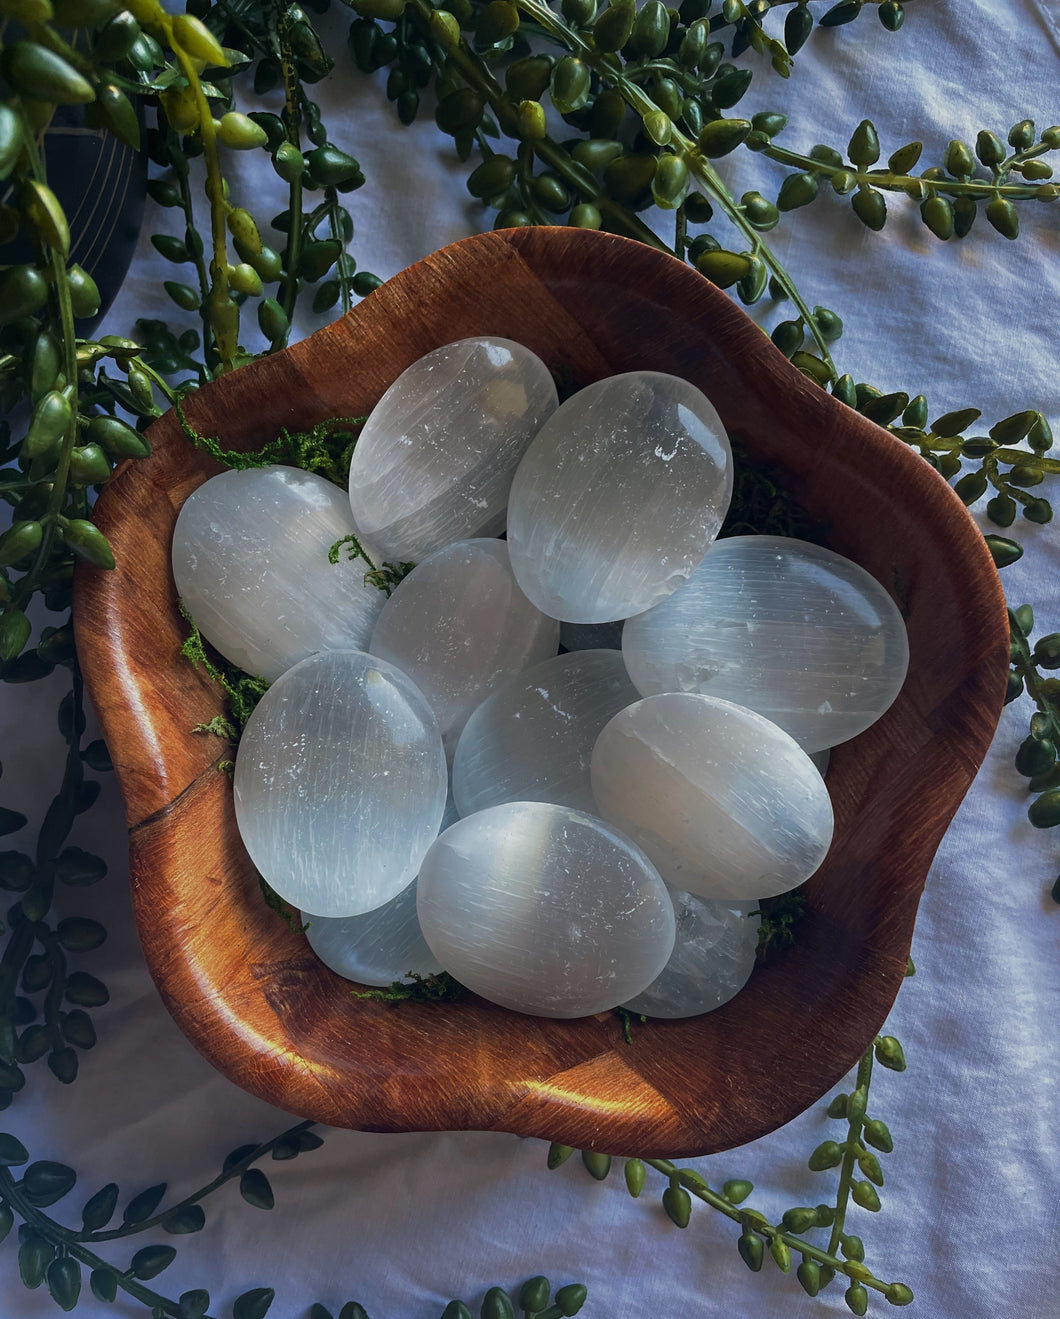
(250, 994)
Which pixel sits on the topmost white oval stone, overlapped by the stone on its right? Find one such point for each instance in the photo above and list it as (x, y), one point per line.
(436, 460)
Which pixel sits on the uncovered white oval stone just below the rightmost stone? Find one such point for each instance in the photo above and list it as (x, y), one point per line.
(723, 803)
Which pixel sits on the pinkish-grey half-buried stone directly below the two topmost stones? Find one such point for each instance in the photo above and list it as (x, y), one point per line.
(459, 626)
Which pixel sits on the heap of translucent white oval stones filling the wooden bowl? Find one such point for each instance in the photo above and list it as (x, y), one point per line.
(611, 825)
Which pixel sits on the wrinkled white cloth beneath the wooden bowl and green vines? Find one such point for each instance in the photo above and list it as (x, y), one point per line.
(404, 1223)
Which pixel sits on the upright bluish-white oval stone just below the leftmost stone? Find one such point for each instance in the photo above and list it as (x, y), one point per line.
(341, 784)
